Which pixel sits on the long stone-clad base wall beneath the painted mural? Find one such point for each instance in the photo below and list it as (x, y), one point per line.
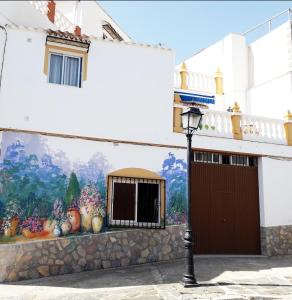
(89, 252)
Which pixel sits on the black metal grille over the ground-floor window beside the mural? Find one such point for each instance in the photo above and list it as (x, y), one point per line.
(152, 213)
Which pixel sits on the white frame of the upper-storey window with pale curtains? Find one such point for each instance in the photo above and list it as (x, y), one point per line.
(65, 55)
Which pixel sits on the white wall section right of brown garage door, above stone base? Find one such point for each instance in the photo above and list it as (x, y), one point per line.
(275, 192)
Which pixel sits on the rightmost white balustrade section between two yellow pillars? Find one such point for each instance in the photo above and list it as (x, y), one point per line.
(262, 129)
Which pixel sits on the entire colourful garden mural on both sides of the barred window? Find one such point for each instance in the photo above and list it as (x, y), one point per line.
(50, 188)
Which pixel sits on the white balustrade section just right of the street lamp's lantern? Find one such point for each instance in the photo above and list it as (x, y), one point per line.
(215, 123)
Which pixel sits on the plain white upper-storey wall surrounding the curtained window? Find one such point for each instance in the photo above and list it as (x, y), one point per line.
(128, 93)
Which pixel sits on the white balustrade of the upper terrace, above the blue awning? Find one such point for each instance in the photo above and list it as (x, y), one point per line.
(196, 81)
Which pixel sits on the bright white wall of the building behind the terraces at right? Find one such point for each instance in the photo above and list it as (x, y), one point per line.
(256, 76)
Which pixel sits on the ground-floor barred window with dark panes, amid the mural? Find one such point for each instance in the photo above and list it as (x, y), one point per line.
(136, 202)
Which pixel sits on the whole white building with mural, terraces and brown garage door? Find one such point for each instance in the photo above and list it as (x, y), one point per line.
(78, 96)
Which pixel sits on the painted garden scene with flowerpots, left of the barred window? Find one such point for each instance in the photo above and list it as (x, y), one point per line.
(39, 200)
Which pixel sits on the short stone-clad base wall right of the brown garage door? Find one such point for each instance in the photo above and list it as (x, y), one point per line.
(276, 240)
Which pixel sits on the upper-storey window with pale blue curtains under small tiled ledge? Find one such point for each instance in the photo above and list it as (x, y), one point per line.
(65, 69)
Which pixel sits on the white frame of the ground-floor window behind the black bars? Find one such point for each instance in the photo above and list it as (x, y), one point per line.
(135, 222)
